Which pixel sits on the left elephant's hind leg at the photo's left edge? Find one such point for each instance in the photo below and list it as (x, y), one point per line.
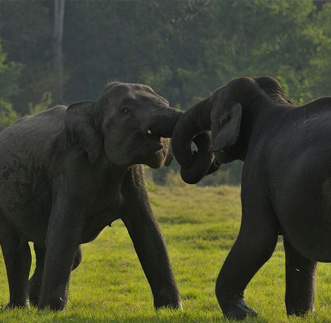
(17, 256)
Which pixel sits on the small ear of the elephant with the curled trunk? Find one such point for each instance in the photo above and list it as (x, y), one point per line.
(230, 127)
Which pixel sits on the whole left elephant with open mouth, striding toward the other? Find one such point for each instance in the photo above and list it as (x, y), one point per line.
(67, 173)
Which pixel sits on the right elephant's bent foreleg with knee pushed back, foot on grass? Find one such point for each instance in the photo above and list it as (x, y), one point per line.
(254, 246)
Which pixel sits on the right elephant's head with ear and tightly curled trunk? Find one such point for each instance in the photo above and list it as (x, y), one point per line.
(222, 114)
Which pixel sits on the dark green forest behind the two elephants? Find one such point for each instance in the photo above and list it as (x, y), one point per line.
(62, 51)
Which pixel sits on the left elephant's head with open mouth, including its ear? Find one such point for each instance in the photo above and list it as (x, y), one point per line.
(129, 121)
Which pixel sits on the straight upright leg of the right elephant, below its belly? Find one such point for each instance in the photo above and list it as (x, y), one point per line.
(300, 281)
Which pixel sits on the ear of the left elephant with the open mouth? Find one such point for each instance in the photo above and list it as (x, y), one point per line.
(81, 129)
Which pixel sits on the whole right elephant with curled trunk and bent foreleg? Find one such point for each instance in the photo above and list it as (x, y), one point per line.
(285, 185)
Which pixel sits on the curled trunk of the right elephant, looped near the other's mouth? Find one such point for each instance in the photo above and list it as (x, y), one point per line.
(191, 127)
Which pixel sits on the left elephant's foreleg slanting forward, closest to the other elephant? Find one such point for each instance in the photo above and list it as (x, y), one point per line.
(149, 244)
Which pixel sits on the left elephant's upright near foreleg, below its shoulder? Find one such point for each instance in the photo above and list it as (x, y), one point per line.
(63, 238)
